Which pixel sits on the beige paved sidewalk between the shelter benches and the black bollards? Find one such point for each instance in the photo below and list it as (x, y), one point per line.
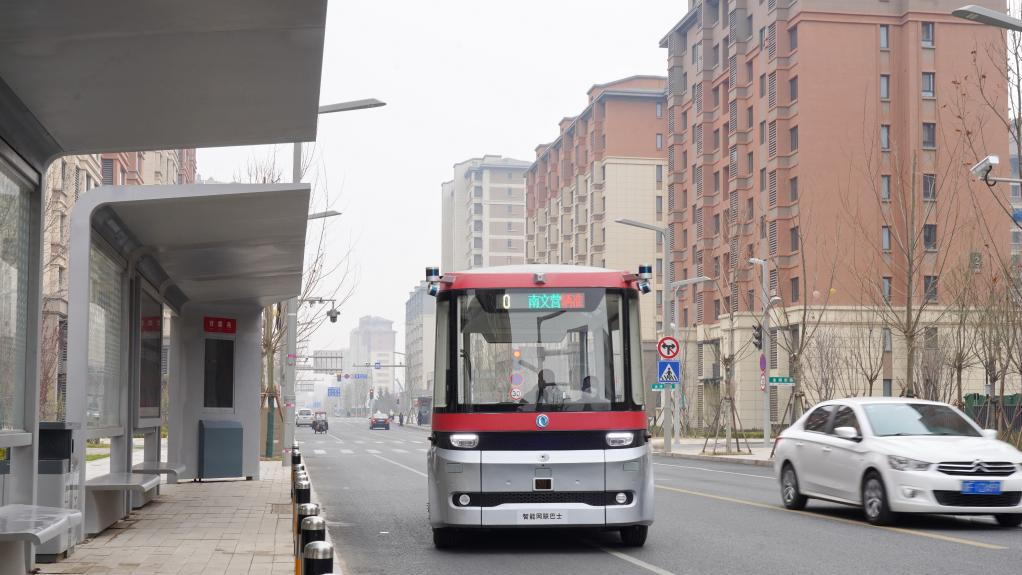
(220, 528)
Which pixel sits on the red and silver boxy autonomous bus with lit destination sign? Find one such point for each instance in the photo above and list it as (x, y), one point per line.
(538, 406)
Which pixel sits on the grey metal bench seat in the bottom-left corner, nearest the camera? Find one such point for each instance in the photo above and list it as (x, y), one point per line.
(23, 525)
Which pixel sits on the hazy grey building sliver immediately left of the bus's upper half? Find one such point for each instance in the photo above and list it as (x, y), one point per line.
(421, 331)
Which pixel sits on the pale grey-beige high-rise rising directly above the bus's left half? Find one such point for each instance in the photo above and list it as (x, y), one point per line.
(484, 214)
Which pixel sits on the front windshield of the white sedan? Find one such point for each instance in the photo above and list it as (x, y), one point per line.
(889, 420)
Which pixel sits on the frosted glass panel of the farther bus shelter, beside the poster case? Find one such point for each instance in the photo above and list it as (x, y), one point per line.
(106, 329)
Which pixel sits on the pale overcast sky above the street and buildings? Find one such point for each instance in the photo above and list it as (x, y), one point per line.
(461, 79)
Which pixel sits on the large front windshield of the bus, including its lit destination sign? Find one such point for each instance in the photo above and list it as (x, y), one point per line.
(528, 351)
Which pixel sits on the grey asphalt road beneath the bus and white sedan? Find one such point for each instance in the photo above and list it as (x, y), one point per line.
(711, 518)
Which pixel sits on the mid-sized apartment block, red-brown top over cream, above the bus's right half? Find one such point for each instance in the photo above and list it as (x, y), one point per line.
(607, 164)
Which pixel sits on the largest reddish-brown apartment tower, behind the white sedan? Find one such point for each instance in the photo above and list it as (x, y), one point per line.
(830, 127)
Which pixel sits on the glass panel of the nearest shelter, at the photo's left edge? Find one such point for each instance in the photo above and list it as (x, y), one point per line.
(15, 219)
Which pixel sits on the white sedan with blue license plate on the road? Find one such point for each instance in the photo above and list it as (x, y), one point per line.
(893, 456)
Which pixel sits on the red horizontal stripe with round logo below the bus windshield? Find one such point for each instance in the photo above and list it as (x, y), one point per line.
(560, 421)
